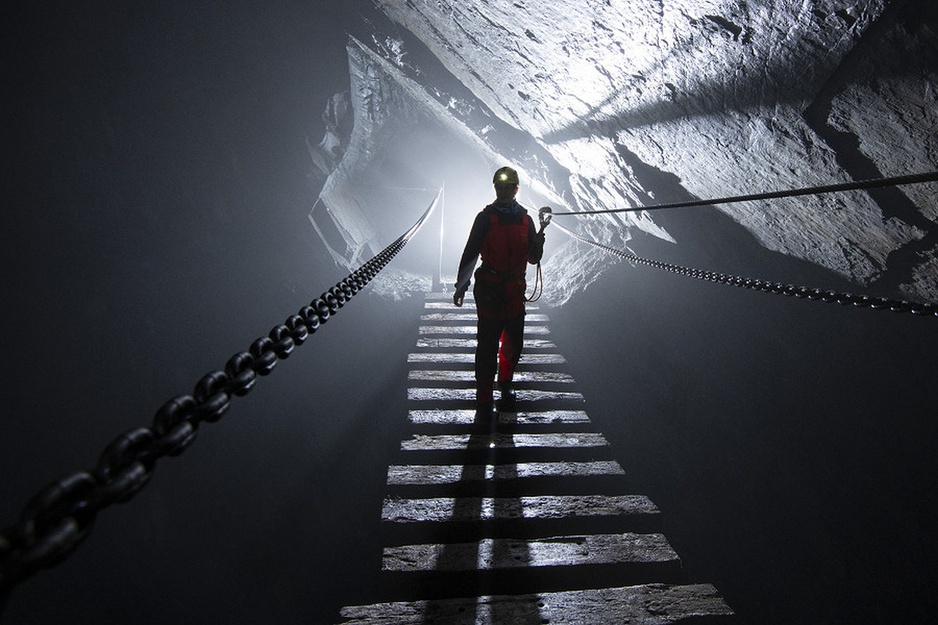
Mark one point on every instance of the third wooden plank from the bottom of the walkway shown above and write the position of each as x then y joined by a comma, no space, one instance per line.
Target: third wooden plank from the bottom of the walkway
474,509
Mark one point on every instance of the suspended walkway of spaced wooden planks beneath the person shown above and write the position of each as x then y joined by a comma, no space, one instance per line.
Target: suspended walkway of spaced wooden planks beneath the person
517,518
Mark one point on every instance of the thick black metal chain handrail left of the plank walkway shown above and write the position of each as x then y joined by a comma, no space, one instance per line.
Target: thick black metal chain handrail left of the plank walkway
57,519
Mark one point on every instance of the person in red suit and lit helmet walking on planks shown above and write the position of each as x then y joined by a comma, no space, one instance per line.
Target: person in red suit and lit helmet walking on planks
503,234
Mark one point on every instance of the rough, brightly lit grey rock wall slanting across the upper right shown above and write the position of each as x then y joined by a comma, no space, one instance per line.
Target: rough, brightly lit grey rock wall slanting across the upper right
730,98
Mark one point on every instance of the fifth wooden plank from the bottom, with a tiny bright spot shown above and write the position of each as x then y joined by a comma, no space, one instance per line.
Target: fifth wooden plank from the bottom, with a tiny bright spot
558,440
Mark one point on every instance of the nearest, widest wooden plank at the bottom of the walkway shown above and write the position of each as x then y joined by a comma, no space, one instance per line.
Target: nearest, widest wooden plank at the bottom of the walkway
648,604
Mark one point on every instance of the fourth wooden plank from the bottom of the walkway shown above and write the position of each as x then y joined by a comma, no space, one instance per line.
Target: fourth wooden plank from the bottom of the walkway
453,473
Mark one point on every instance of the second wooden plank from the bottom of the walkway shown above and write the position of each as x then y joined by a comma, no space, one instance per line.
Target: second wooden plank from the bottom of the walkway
511,553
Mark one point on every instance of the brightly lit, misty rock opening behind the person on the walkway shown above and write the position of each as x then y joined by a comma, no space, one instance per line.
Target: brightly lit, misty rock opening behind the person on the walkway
403,147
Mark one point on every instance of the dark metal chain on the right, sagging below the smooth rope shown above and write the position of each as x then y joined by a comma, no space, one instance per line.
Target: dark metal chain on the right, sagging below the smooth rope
789,290
